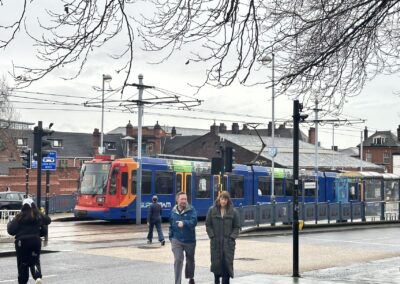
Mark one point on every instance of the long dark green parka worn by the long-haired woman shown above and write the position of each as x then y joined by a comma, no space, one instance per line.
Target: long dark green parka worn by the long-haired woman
222,233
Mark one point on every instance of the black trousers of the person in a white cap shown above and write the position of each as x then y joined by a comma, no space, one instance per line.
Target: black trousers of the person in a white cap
28,258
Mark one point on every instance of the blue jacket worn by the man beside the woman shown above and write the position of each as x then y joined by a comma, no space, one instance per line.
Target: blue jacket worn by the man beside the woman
188,216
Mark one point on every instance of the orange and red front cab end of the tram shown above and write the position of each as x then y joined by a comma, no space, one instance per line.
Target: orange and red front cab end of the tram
104,190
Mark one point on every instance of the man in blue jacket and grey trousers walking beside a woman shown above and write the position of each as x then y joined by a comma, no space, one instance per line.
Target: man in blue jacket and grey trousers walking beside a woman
182,234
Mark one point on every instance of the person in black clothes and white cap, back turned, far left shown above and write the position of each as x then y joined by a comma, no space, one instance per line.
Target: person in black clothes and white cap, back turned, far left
27,227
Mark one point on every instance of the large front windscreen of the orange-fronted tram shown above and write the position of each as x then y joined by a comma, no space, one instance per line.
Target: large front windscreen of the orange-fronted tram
93,179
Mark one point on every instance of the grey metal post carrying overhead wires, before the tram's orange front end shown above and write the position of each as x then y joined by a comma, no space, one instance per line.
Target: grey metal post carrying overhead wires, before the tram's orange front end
139,154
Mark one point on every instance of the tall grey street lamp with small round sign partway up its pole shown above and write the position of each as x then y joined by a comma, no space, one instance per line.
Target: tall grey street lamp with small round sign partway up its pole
266,60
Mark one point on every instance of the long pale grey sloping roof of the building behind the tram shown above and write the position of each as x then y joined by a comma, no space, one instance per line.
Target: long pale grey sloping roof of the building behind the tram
326,158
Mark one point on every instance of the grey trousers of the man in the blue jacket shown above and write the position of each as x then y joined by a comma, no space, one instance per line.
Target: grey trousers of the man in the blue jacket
178,248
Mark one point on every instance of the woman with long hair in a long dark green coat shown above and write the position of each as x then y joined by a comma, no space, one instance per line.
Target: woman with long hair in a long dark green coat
222,225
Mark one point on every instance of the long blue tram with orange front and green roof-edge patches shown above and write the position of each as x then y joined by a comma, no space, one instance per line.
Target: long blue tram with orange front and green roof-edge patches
107,187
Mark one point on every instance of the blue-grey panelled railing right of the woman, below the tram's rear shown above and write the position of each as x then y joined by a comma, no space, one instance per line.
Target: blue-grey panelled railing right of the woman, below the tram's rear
282,213
